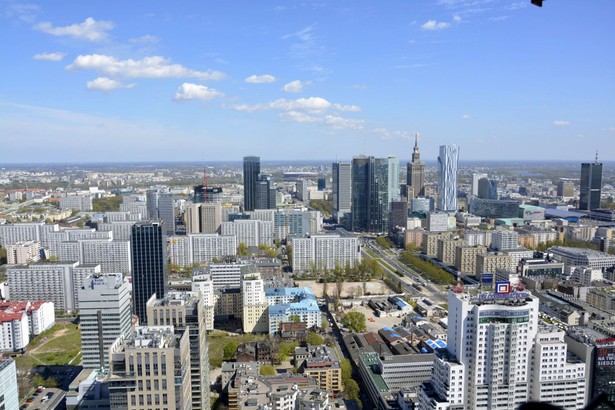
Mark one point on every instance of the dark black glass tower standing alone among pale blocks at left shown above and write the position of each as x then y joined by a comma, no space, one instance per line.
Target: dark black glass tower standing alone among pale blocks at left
149,265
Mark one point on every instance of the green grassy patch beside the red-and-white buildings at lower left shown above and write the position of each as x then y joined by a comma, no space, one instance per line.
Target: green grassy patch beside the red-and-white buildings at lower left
57,346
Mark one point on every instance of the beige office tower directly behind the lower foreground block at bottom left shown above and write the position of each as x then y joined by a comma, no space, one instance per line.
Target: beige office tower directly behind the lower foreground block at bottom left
184,310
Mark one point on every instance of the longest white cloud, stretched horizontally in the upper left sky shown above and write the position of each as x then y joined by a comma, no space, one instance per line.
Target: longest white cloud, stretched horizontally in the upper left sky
147,67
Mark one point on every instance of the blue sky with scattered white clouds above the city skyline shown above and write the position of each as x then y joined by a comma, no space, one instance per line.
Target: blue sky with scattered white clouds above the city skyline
93,81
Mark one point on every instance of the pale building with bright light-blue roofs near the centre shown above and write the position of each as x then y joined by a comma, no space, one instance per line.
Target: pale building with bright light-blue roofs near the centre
287,302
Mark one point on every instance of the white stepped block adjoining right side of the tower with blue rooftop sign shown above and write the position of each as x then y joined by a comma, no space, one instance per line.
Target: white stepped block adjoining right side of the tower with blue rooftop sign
556,376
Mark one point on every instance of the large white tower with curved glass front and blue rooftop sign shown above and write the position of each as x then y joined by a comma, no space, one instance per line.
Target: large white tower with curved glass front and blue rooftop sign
490,339
